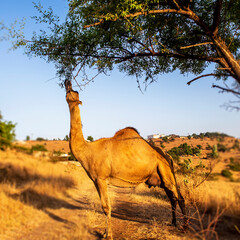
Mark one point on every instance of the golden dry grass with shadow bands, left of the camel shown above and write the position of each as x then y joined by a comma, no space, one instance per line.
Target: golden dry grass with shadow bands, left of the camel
29,187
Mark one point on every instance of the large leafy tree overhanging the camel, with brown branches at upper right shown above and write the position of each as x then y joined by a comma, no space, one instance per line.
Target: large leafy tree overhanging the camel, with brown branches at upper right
144,38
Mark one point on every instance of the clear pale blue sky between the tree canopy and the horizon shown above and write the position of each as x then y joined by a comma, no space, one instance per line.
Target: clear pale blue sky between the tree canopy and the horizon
30,97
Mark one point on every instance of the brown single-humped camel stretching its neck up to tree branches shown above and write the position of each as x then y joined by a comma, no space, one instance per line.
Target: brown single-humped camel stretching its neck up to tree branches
124,160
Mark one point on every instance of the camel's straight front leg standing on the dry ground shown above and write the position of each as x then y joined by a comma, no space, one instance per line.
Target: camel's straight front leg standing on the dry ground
102,189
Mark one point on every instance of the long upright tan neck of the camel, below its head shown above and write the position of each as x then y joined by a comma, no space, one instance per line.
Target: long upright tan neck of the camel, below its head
77,141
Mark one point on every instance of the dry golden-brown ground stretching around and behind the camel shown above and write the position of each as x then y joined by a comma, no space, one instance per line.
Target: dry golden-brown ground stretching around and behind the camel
47,198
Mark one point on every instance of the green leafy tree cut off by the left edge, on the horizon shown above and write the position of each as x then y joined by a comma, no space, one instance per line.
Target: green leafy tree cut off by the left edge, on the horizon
7,133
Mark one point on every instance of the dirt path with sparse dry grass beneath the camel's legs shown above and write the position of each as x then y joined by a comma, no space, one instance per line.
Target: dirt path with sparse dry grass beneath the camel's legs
82,218
